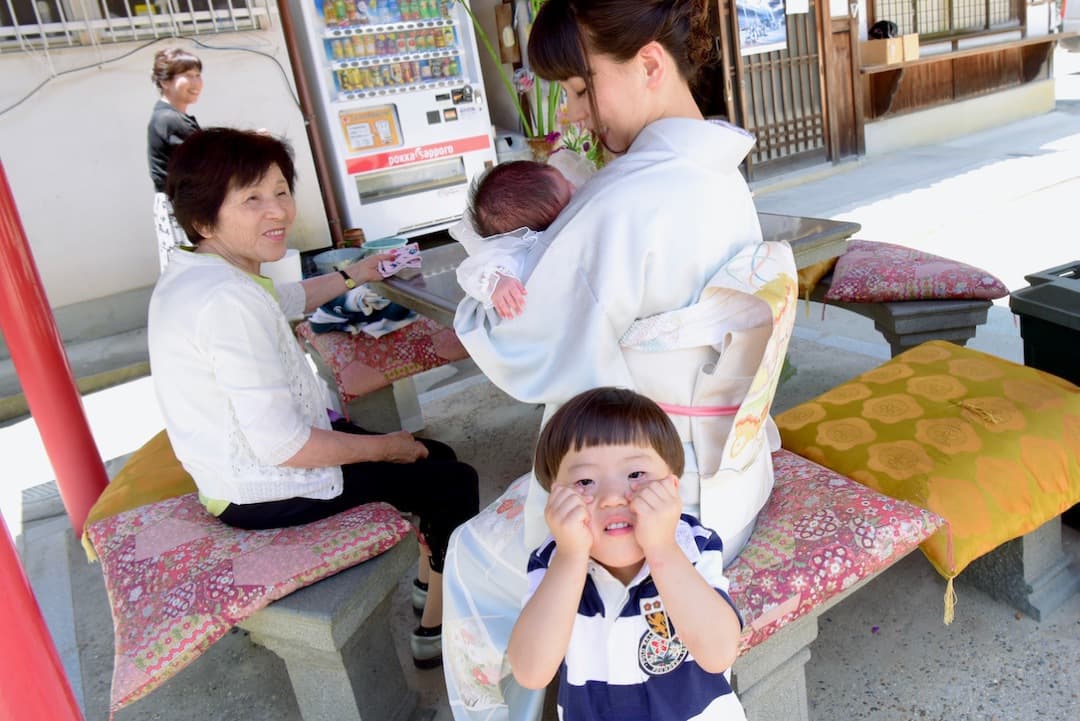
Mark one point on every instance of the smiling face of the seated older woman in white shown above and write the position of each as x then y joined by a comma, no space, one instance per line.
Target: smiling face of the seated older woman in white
253,222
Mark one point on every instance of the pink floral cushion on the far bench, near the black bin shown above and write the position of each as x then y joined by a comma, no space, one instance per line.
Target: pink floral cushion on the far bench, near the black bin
881,273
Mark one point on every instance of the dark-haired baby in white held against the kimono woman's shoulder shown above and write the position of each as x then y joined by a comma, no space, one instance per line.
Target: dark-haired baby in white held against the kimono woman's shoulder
521,196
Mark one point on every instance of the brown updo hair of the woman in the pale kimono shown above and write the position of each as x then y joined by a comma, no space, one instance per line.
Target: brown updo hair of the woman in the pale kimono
564,31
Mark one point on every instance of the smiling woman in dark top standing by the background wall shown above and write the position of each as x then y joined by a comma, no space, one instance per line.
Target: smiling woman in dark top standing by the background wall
178,75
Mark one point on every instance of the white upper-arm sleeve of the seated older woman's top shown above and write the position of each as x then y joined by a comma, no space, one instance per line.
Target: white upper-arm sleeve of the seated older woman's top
240,335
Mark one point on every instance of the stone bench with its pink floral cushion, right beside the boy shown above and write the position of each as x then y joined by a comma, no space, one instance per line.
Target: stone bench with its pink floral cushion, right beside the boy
820,539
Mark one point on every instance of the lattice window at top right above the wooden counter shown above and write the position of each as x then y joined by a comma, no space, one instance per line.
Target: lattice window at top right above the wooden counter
948,18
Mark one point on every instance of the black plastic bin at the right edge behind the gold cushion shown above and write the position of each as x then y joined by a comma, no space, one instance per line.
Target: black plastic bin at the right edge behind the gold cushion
1049,314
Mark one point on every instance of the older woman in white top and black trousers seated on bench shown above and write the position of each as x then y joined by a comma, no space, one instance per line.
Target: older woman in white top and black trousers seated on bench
242,407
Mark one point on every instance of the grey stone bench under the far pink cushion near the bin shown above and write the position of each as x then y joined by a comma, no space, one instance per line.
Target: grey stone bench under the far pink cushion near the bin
909,323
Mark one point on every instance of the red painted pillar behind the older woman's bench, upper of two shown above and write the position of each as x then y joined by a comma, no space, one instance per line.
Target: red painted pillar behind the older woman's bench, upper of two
37,353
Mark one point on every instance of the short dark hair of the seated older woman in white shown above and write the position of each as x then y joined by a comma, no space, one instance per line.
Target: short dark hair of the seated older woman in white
211,164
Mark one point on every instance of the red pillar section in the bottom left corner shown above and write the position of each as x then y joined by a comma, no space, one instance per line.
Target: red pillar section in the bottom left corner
33,684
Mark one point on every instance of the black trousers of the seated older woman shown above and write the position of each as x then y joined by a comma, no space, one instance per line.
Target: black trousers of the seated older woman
440,489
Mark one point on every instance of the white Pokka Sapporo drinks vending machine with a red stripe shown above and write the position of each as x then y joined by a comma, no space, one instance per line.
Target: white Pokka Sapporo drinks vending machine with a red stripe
401,108
